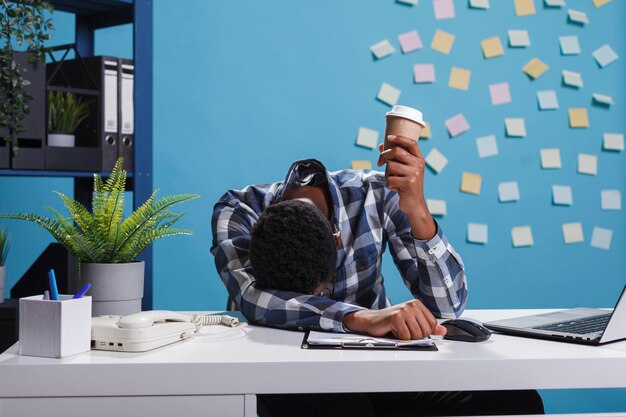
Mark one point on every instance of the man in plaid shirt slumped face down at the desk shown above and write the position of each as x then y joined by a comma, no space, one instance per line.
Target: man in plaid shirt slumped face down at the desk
305,253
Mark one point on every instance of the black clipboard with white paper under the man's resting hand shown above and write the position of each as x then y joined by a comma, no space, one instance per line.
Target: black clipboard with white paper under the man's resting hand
351,341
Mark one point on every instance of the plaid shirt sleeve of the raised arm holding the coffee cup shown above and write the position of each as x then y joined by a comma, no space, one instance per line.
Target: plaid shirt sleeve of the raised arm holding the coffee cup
432,270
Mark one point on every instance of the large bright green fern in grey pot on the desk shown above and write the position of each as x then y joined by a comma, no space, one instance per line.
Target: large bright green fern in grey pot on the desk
106,244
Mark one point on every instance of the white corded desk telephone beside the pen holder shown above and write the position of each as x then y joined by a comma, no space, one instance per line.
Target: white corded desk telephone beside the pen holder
148,330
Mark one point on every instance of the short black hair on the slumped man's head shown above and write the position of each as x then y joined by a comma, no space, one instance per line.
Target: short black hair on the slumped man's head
292,248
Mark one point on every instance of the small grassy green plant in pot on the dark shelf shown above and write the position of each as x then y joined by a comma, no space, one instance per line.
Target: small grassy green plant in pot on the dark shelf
66,111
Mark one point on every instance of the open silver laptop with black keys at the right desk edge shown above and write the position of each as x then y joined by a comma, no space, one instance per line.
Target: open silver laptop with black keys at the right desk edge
587,326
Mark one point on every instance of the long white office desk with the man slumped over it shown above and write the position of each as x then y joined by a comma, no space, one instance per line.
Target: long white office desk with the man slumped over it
203,377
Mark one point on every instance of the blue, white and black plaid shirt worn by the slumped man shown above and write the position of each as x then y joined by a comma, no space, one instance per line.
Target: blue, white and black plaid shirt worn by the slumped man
366,214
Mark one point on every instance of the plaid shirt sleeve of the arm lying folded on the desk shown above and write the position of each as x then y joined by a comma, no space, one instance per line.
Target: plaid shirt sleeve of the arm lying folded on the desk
231,225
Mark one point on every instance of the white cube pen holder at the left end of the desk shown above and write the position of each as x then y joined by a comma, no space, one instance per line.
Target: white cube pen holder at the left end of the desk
55,329
